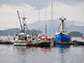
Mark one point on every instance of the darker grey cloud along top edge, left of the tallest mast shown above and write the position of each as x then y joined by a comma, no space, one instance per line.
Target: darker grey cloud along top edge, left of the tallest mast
39,4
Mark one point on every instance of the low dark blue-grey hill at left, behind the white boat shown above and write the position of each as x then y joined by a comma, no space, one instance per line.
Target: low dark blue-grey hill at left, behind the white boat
12,31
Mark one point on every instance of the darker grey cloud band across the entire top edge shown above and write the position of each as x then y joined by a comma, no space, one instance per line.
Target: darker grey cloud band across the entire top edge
39,4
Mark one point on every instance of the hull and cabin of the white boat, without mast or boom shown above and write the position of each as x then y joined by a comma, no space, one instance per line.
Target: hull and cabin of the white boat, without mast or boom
22,39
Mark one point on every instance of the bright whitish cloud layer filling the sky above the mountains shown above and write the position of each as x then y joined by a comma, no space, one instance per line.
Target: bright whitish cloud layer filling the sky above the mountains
9,19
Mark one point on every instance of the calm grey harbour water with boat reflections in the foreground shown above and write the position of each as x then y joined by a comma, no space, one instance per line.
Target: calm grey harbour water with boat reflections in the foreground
58,54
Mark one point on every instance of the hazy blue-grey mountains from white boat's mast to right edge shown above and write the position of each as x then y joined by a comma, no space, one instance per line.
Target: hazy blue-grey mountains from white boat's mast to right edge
69,24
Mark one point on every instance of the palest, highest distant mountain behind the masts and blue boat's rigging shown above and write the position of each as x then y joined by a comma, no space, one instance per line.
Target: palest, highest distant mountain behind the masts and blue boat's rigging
42,23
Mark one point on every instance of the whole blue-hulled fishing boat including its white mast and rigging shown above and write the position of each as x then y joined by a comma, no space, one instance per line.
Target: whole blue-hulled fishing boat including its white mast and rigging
61,33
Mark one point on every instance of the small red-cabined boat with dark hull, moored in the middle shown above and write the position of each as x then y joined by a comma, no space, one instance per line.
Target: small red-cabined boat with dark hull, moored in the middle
45,41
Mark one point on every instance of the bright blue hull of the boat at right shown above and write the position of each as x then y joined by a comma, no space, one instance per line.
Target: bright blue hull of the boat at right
63,38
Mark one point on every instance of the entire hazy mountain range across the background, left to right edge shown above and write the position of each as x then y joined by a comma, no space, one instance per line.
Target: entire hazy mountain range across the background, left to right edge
41,24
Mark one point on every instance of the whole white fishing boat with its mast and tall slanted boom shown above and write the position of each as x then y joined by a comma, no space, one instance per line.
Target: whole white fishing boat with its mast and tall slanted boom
22,38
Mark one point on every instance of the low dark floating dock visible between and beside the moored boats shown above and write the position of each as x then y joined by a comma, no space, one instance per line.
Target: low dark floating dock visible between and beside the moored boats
58,43
